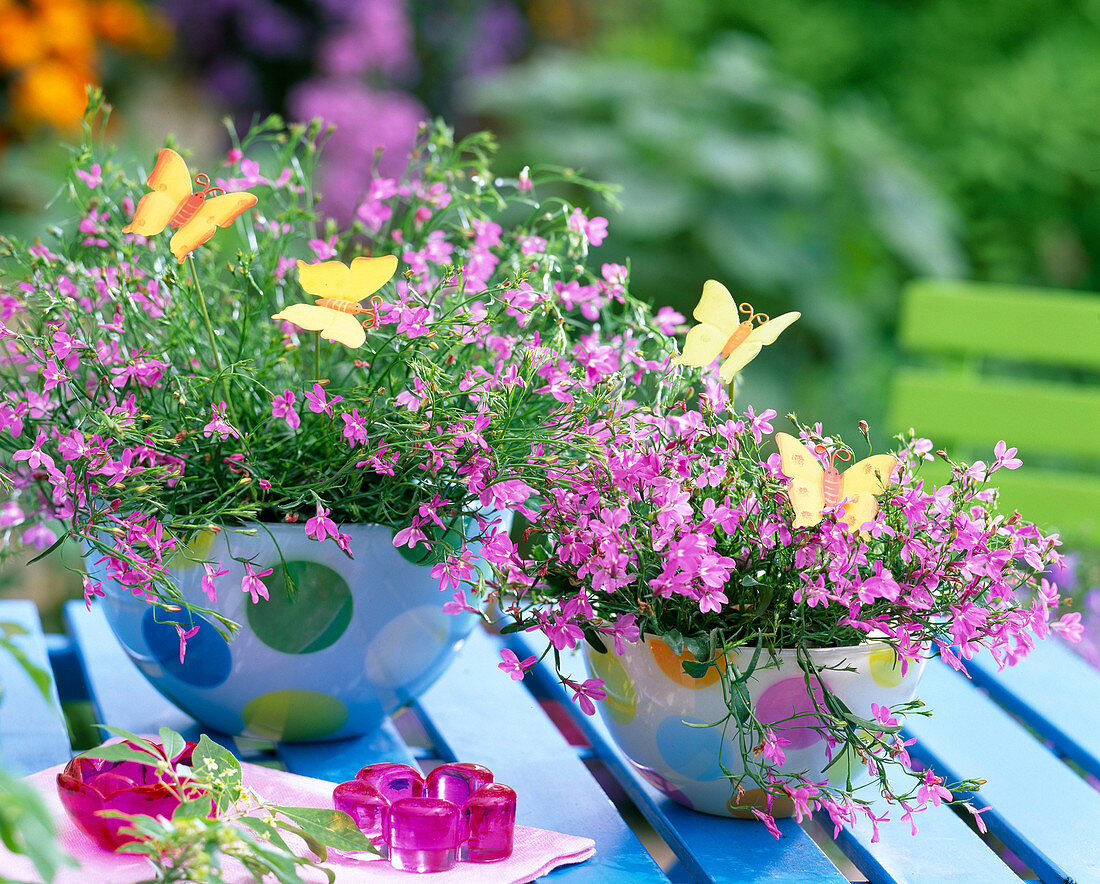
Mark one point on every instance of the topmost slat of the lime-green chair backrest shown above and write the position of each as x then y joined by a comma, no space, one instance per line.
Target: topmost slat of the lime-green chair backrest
1049,327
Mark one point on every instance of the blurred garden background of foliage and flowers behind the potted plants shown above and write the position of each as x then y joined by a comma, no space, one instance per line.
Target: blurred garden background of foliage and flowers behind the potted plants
811,154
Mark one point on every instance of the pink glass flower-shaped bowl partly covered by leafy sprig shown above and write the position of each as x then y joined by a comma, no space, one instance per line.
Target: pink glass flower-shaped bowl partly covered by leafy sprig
87,787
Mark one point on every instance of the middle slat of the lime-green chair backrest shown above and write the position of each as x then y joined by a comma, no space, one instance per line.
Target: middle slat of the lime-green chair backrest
1036,416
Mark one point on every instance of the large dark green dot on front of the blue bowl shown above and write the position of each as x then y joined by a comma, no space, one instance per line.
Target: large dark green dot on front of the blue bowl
311,617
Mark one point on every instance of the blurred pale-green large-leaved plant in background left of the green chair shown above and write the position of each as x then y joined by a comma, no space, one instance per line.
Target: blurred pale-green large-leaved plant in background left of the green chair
734,171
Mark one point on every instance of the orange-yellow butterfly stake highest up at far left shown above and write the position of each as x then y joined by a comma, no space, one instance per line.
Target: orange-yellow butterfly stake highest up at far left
195,217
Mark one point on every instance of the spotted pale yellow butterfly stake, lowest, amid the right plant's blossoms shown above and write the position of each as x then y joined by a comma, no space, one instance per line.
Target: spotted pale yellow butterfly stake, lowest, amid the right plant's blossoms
815,488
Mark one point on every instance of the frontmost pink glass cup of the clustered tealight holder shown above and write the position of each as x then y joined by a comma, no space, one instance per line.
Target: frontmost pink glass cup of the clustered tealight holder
423,835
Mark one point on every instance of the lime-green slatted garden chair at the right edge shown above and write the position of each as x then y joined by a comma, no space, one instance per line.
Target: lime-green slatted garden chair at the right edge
987,362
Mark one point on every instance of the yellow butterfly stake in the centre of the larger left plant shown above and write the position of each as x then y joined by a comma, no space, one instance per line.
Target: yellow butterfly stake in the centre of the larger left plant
339,291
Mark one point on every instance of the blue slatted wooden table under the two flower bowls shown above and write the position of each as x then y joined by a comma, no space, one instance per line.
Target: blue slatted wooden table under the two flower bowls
1018,730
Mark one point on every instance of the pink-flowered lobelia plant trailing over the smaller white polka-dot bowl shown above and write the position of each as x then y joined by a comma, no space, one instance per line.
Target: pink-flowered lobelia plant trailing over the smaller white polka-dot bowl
684,531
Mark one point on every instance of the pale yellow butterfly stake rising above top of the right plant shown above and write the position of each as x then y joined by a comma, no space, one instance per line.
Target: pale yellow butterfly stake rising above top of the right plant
721,333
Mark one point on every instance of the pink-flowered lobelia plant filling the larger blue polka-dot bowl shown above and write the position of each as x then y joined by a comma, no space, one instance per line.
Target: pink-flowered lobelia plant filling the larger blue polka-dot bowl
153,391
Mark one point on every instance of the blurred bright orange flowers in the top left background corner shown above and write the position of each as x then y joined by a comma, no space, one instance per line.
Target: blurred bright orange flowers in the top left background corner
51,51
